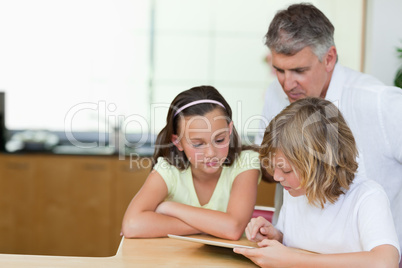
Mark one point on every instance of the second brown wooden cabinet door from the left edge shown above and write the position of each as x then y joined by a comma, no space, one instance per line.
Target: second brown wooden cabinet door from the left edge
54,216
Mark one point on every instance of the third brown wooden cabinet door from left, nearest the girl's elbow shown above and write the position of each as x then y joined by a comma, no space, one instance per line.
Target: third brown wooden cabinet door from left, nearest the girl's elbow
91,202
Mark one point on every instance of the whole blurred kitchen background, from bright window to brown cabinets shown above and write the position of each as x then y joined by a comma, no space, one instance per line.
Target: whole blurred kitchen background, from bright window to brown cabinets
100,74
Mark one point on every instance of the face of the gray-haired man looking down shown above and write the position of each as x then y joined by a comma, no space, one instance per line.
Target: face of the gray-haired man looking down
303,75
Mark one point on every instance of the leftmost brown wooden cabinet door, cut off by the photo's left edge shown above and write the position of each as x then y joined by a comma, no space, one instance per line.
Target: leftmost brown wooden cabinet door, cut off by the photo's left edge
17,175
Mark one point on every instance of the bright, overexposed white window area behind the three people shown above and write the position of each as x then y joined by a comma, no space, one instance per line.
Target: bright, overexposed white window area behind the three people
94,66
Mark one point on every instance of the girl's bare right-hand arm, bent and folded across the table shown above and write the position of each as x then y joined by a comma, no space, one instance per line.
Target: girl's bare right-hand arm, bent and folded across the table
229,225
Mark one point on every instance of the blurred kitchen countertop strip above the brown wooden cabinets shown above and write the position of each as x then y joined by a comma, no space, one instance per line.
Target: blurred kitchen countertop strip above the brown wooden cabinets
79,143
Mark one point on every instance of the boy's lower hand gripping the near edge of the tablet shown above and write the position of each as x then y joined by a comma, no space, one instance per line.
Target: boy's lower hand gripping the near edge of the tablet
271,254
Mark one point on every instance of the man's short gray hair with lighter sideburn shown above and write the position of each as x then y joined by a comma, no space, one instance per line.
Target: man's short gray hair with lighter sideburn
297,27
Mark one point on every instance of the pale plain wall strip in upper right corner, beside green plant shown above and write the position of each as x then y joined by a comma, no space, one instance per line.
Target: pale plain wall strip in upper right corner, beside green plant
384,34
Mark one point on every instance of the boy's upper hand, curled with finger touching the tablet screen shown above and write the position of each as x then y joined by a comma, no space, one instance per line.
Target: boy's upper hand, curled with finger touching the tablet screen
259,229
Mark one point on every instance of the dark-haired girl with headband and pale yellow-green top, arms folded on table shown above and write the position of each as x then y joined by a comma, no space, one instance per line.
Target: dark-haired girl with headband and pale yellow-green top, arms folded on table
202,181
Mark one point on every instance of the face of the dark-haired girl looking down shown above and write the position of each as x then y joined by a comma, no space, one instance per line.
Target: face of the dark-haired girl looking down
205,140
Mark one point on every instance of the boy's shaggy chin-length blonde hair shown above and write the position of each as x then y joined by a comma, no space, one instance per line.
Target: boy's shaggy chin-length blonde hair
314,137
